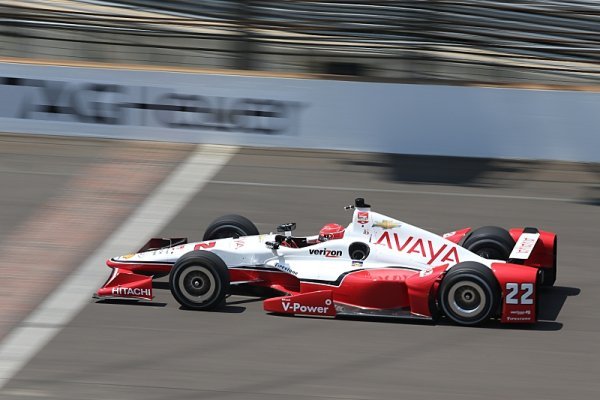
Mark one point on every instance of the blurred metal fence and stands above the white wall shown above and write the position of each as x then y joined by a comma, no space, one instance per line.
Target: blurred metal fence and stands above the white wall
482,41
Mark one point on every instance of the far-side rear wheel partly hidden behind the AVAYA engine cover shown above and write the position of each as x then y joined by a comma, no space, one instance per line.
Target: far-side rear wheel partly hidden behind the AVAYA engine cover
490,242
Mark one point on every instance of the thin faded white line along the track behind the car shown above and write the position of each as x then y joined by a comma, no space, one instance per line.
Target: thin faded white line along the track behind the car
399,191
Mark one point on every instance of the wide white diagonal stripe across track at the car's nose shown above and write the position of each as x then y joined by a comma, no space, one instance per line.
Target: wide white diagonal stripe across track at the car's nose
61,306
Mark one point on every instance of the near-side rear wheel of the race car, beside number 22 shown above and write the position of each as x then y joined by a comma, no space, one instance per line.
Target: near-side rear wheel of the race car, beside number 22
469,293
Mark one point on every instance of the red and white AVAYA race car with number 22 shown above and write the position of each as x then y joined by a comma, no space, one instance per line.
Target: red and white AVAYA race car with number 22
376,266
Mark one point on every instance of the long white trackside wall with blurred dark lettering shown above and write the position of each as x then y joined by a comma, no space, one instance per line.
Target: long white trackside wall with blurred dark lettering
304,113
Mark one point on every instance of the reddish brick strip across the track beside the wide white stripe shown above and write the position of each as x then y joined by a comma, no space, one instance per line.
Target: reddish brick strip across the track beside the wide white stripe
114,182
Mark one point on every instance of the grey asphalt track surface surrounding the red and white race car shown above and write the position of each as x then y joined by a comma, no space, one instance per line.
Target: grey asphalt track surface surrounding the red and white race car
124,350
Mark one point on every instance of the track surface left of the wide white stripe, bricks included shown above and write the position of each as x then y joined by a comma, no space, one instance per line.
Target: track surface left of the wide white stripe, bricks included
60,198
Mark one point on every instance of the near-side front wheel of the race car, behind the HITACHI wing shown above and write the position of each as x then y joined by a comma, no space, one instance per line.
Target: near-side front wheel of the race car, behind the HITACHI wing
199,280
